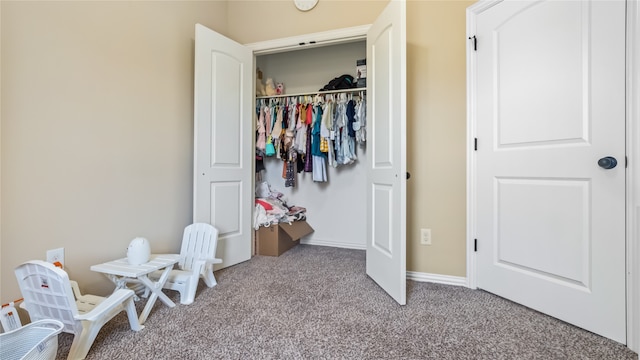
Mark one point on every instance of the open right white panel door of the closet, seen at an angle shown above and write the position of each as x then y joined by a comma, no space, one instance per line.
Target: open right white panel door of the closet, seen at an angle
386,170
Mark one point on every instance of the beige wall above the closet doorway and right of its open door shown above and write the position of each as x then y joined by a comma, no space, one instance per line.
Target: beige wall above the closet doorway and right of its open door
436,112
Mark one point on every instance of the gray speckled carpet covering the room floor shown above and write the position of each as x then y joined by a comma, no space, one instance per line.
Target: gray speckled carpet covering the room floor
316,302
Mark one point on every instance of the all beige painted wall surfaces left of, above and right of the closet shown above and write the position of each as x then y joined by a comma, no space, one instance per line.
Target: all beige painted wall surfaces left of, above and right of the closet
97,122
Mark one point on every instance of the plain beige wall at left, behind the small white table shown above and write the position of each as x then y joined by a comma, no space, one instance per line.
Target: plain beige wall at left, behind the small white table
96,129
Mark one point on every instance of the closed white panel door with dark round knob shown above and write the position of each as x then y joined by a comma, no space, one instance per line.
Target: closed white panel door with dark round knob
550,90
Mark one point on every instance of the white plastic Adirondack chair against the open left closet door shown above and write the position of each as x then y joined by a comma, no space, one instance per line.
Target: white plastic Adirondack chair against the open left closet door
197,256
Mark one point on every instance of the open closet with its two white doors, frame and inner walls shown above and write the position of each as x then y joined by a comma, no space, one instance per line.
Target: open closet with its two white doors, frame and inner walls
362,206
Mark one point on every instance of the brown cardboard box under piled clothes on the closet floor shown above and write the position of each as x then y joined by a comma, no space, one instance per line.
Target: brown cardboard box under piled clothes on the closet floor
278,238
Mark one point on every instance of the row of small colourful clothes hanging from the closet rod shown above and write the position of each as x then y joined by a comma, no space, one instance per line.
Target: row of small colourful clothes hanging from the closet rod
310,133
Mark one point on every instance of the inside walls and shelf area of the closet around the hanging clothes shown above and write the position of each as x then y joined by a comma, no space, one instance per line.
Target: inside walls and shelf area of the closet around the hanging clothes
335,208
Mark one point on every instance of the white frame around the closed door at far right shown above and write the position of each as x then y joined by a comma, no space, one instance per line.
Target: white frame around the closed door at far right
633,163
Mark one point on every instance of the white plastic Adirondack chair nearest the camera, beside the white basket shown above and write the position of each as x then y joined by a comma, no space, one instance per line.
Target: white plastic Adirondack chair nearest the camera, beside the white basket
49,294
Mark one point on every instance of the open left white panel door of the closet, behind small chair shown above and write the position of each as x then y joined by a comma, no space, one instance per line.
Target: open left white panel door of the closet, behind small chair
223,135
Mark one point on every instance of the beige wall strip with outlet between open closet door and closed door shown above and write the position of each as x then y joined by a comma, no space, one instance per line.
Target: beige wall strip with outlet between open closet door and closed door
436,116
